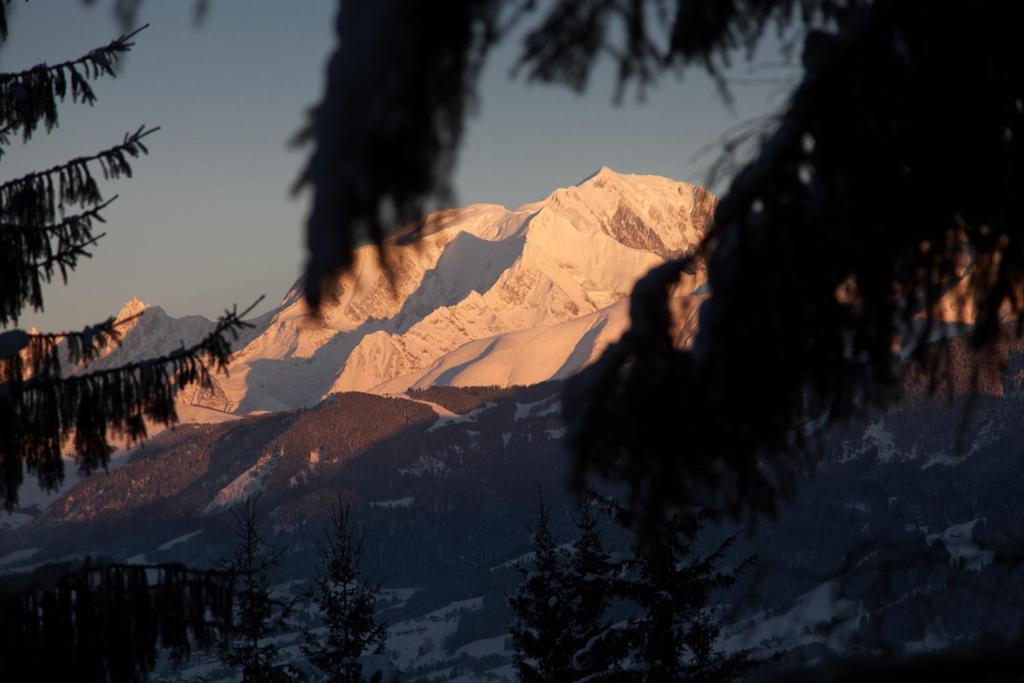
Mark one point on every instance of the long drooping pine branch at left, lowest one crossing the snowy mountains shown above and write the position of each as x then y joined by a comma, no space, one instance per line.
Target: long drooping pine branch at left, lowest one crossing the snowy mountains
39,414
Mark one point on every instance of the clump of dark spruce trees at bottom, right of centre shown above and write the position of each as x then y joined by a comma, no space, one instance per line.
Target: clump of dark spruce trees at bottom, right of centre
564,630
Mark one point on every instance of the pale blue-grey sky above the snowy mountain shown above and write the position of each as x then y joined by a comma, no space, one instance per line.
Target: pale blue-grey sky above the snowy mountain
208,222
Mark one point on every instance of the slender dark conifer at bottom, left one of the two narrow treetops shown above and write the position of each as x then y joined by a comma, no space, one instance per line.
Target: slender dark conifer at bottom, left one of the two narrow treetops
250,648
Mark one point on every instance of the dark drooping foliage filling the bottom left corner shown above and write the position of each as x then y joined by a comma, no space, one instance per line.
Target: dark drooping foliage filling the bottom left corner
109,622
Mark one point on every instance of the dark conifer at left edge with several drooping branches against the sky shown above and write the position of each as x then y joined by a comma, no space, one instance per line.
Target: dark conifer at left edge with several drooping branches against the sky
48,219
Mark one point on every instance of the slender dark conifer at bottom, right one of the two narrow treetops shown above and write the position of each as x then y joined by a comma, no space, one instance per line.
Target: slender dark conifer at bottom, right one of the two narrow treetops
348,603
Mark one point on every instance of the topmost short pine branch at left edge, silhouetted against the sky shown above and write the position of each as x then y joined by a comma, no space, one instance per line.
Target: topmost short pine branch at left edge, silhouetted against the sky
30,98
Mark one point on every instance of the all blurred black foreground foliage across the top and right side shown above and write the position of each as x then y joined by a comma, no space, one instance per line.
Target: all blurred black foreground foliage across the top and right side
888,180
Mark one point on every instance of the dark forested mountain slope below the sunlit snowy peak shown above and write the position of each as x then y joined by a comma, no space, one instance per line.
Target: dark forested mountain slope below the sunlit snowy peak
892,535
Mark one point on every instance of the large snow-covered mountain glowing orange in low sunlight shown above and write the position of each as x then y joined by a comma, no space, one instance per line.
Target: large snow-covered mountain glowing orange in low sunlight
490,296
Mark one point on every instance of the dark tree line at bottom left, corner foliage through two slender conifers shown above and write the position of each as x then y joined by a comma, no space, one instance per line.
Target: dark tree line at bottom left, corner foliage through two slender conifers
110,622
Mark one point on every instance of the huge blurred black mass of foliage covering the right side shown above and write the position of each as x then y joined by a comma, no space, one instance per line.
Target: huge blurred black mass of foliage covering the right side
888,180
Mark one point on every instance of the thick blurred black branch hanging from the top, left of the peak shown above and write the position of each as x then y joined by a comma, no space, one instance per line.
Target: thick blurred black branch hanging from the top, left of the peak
360,174
